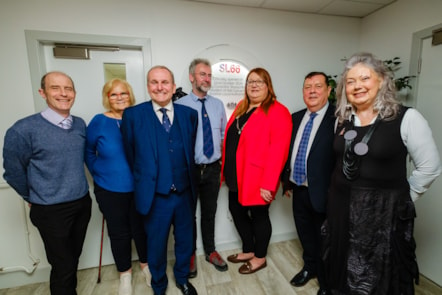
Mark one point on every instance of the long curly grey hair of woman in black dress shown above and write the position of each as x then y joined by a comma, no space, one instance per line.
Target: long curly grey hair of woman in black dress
385,103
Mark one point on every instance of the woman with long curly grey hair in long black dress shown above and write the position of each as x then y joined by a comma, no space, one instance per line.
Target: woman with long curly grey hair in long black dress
369,245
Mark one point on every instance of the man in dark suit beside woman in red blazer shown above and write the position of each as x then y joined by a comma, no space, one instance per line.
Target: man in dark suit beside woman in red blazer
307,173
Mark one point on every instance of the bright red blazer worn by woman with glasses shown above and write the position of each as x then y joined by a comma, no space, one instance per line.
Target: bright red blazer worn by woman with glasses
262,152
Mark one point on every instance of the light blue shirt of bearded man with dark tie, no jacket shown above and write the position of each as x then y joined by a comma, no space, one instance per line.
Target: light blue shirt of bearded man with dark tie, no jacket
218,120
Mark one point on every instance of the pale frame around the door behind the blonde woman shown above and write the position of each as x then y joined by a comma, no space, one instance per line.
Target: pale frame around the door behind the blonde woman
35,40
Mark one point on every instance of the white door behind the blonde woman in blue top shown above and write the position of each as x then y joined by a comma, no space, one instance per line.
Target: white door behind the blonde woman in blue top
89,78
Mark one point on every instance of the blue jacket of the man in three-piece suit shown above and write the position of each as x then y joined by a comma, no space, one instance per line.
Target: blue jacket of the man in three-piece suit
139,133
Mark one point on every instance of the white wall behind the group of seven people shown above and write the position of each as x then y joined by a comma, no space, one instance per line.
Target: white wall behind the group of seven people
288,44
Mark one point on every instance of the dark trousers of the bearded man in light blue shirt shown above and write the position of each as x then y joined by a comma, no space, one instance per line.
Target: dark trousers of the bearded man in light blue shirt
208,180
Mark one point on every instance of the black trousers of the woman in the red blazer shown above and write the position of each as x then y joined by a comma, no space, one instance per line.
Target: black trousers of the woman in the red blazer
253,225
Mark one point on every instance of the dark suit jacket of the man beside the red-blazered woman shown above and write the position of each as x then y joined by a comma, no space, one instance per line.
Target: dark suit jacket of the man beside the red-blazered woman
320,161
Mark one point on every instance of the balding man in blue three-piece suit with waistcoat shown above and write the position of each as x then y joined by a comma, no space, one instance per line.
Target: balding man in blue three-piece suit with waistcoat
159,139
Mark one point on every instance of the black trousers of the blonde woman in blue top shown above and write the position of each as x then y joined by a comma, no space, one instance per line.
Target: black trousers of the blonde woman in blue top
124,223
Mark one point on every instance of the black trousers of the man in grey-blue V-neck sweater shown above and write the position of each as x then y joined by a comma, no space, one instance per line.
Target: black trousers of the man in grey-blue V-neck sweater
63,229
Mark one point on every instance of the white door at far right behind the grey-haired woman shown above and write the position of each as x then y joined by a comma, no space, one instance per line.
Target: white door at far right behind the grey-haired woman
428,232
